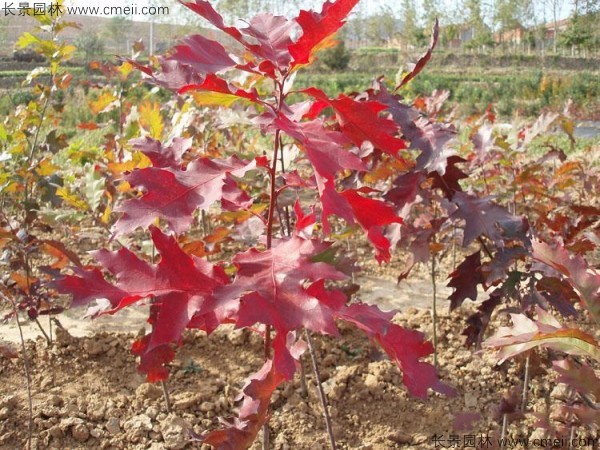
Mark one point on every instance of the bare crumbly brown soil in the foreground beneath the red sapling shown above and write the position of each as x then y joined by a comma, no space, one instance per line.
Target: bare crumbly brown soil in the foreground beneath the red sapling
87,394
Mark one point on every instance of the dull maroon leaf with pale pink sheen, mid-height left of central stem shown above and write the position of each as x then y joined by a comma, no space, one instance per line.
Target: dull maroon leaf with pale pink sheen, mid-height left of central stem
174,194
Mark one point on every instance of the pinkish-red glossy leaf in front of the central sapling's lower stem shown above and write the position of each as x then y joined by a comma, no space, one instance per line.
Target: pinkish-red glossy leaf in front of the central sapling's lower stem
270,286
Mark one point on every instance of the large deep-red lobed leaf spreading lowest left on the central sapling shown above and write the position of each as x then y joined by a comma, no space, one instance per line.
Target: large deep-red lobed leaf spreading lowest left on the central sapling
180,285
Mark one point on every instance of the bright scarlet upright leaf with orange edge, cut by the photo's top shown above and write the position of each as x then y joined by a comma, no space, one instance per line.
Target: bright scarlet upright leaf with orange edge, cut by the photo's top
317,27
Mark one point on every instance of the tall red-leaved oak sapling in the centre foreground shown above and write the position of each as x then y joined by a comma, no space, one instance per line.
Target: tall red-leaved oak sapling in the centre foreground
282,285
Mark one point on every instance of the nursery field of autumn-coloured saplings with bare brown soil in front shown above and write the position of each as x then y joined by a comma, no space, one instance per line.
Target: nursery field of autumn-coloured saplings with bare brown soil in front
209,249
